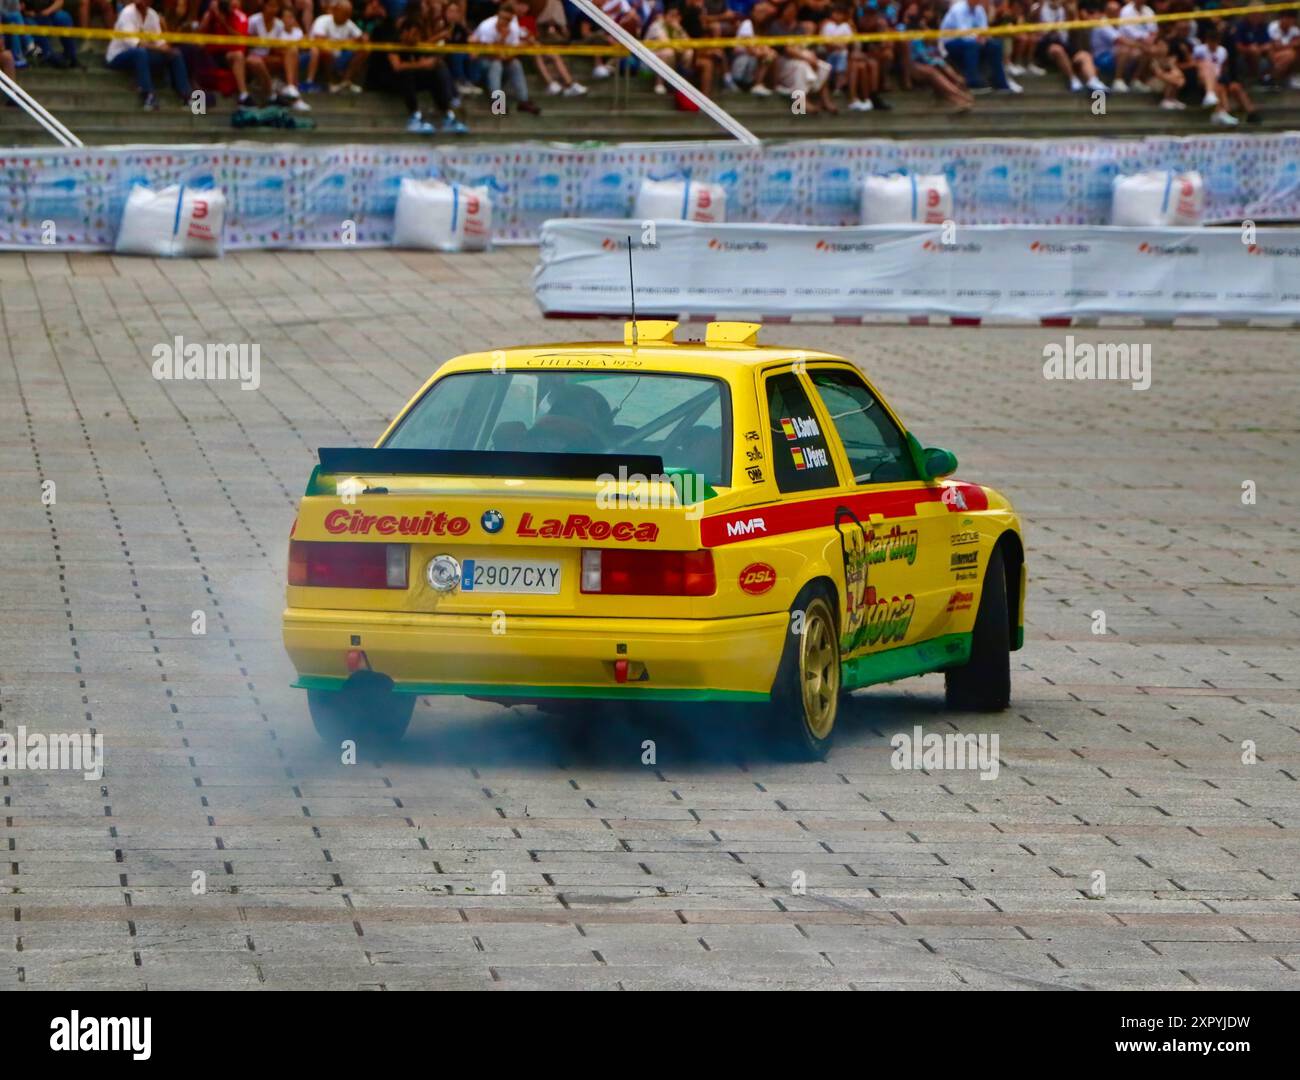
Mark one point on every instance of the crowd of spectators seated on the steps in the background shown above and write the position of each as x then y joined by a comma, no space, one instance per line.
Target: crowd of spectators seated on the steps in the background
1216,64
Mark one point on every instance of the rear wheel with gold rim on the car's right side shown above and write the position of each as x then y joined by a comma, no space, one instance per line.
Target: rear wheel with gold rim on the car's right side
807,689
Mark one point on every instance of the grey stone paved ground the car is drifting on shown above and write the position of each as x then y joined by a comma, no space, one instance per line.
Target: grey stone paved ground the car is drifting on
1123,753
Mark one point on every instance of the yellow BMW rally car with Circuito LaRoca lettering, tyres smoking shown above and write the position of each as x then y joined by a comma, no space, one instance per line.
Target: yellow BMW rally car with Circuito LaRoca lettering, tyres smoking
648,522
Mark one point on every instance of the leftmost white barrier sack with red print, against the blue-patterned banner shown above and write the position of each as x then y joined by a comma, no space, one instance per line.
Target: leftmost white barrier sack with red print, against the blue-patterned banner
176,222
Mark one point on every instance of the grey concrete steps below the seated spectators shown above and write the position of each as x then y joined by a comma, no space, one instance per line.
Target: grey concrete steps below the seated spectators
102,107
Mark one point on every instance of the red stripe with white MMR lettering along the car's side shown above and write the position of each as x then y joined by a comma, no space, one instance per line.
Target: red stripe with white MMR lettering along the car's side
779,519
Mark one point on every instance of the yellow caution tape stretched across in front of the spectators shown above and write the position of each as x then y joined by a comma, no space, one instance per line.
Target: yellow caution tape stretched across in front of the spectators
177,37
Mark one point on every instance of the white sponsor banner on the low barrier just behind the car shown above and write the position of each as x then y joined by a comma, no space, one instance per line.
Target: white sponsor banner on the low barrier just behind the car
1015,272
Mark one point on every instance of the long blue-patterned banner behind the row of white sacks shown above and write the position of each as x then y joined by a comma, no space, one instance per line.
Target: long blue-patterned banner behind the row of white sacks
302,197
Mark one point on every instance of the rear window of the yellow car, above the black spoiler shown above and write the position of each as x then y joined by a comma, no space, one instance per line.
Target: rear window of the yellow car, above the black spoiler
683,419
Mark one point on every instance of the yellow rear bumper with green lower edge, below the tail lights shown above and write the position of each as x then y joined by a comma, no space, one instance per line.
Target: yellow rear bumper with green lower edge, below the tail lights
669,660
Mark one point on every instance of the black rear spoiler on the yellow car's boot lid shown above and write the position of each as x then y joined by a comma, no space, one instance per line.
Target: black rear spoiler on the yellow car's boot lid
348,461
